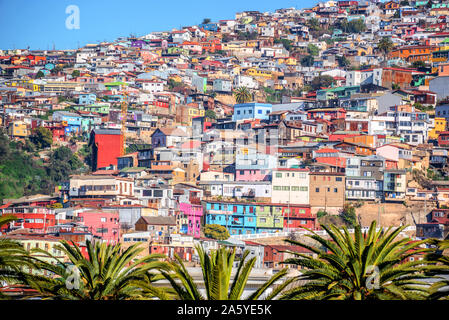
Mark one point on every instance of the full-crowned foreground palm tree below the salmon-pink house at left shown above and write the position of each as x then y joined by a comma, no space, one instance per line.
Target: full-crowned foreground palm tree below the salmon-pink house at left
108,273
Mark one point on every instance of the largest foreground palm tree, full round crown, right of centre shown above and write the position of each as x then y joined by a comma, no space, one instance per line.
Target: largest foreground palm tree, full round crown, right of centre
346,266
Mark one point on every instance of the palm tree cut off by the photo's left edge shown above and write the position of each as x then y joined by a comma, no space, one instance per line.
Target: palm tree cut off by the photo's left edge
13,258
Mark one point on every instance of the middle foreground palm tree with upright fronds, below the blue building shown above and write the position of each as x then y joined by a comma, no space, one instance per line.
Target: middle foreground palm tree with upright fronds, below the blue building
216,270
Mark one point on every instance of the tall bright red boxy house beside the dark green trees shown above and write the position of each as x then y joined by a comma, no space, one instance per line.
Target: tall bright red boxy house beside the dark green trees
106,147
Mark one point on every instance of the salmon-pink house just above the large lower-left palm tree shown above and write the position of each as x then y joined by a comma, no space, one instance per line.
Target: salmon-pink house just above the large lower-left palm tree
103,224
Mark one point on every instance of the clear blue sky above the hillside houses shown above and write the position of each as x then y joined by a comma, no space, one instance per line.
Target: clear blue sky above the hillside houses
41,24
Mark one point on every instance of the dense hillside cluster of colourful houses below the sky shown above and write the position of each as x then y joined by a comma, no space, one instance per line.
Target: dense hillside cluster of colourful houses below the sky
263,167
